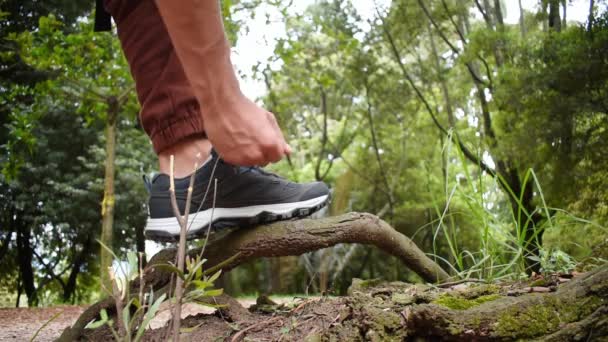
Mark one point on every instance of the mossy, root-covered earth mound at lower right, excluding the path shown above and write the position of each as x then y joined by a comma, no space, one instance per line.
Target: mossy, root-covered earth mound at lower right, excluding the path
576,311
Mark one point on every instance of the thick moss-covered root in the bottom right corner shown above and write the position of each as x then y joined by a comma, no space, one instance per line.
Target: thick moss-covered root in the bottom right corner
577,311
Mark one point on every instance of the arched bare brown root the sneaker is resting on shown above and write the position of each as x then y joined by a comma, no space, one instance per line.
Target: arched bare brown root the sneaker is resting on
284,238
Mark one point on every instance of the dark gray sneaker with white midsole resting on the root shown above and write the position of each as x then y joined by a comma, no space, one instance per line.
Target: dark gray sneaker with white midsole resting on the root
245,196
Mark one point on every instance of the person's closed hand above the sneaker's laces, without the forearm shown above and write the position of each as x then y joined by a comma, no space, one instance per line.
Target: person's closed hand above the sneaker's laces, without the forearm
243,133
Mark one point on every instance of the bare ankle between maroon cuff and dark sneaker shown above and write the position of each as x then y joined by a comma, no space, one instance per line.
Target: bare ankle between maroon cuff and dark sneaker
187,153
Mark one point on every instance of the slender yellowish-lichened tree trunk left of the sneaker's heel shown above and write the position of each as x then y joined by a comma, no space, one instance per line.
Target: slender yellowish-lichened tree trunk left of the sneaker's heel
107,206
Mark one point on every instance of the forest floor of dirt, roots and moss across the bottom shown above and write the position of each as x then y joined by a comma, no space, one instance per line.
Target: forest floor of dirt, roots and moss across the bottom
374,311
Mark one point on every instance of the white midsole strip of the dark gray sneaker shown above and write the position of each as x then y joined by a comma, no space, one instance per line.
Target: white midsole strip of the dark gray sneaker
201,219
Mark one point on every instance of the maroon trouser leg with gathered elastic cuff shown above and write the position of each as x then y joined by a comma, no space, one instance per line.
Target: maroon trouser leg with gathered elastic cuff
169,109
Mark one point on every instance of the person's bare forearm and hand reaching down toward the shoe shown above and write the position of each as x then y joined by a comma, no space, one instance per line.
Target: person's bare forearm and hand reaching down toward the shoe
241,132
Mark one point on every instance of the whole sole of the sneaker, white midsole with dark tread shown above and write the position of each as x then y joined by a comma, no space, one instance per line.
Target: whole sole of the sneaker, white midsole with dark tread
167,229
